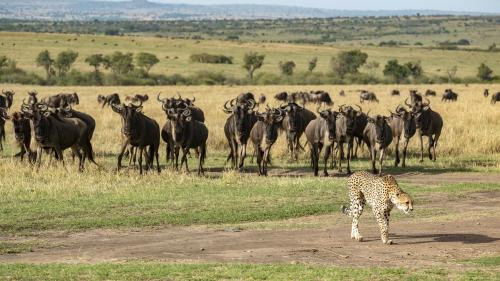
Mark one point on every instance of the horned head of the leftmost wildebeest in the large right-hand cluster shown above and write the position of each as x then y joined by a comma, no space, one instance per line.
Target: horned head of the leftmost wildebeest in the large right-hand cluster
242,115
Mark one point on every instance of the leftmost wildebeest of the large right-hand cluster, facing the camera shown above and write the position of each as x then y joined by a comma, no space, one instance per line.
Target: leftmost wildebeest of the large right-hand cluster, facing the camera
237,129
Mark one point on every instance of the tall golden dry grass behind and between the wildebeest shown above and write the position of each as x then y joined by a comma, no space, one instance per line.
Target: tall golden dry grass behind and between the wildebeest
471,125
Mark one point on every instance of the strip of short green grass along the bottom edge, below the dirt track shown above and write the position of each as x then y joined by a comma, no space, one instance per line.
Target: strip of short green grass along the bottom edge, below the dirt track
154,271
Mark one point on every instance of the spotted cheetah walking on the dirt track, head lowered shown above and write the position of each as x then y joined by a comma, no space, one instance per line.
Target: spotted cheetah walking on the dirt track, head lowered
381,193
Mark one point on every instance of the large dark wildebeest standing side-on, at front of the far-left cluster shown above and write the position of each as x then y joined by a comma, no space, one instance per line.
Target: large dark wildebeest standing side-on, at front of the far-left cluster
58,134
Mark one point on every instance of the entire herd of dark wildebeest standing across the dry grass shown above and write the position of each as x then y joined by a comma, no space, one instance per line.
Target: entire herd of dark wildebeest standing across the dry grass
55,126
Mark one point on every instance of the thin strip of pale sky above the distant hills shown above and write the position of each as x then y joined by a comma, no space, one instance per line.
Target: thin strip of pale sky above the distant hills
490,6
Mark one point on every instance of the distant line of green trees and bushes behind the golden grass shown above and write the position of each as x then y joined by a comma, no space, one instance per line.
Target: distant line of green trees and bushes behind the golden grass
136,69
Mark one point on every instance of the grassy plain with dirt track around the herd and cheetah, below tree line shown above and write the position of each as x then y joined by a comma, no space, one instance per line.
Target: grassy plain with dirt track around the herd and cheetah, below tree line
100,224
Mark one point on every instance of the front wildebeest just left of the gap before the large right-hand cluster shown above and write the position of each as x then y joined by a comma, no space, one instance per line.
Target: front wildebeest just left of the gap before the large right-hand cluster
188,133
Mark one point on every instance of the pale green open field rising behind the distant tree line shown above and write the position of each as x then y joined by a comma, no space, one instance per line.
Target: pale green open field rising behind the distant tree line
24,47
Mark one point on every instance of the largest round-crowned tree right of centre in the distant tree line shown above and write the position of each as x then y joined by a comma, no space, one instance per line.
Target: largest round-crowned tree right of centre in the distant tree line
348,62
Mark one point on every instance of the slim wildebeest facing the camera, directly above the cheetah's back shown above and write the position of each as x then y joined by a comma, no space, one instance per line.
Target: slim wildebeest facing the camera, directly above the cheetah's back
378,136
